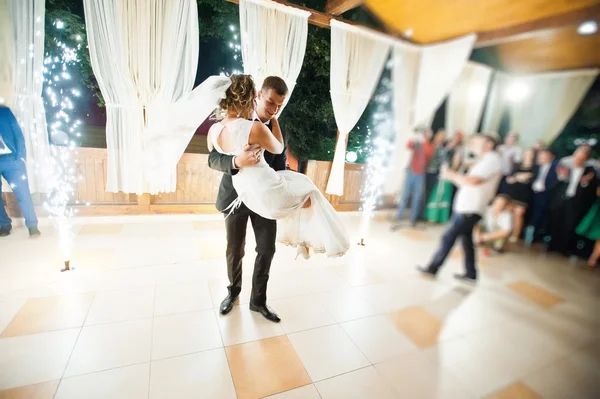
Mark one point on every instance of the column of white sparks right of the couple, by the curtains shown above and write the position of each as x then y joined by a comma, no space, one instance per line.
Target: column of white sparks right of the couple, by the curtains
379,147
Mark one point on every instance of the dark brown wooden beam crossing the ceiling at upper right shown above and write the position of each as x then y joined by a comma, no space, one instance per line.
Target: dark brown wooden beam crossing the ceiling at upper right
532,28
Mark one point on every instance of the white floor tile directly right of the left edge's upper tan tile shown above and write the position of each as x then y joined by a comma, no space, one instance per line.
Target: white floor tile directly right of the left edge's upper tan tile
122,305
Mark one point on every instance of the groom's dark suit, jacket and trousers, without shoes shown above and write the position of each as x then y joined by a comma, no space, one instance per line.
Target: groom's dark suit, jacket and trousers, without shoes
265,230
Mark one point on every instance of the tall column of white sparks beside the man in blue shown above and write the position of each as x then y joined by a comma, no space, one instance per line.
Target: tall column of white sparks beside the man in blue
61,171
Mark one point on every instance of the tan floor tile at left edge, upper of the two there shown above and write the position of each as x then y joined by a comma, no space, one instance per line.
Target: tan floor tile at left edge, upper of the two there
49,314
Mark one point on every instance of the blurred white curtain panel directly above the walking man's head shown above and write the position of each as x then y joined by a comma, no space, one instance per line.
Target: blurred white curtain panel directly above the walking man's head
467,98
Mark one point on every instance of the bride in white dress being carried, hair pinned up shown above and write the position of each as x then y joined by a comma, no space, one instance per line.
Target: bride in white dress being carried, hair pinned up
306,219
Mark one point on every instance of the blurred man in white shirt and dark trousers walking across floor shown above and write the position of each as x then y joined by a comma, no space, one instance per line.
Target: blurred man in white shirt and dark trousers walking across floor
475,191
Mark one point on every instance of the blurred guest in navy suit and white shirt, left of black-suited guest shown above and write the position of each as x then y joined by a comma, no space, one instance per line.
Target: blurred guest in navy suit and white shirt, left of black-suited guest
544,180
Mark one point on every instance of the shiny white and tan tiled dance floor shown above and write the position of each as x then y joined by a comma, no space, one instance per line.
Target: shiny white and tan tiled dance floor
138,318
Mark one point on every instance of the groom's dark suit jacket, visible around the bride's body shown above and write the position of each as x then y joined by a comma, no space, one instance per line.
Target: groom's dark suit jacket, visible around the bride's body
224,163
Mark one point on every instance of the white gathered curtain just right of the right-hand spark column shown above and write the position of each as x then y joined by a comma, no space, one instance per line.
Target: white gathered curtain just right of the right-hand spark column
423,76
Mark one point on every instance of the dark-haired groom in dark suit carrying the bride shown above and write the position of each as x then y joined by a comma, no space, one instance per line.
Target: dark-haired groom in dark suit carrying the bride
269,100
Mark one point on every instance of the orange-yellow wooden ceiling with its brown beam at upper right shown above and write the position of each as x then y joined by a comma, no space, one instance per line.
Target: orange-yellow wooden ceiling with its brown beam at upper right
514,35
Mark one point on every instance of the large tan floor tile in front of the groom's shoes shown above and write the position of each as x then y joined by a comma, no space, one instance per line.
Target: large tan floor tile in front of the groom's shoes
265,367
